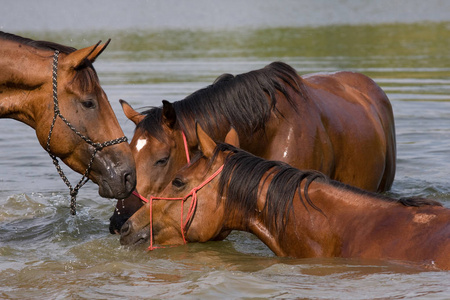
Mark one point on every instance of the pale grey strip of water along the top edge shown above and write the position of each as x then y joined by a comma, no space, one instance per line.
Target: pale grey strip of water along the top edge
217,15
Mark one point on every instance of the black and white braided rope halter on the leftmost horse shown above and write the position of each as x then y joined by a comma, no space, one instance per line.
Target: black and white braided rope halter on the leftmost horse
96,146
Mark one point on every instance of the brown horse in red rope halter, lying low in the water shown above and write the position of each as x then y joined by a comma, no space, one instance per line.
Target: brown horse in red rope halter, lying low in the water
301,214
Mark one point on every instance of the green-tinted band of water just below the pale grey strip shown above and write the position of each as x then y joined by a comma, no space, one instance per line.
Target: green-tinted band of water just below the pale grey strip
392,41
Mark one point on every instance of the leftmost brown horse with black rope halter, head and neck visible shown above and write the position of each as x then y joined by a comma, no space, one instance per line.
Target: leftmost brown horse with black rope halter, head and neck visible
55,90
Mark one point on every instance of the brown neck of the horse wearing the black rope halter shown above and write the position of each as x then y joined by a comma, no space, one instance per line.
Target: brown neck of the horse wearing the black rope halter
23,74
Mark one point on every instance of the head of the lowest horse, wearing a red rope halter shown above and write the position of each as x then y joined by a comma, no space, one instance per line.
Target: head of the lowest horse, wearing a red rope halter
185,210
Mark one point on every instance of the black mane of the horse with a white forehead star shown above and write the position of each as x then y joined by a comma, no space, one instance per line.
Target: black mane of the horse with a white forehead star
244,101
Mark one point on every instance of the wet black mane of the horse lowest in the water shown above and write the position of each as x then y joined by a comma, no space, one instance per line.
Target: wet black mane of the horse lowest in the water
241,178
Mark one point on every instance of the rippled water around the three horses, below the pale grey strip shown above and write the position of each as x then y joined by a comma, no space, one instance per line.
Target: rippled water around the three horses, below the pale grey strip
45,252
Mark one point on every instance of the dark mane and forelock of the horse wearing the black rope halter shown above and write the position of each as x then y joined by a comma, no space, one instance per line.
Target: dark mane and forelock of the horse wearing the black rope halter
86,74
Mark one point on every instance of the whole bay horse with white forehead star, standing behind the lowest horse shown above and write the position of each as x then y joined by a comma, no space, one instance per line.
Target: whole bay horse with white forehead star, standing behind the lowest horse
338,123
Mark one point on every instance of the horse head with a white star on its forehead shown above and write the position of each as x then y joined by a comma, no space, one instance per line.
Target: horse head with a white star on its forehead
156,150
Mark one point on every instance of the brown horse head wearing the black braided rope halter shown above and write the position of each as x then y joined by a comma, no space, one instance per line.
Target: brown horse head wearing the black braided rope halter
85,142
